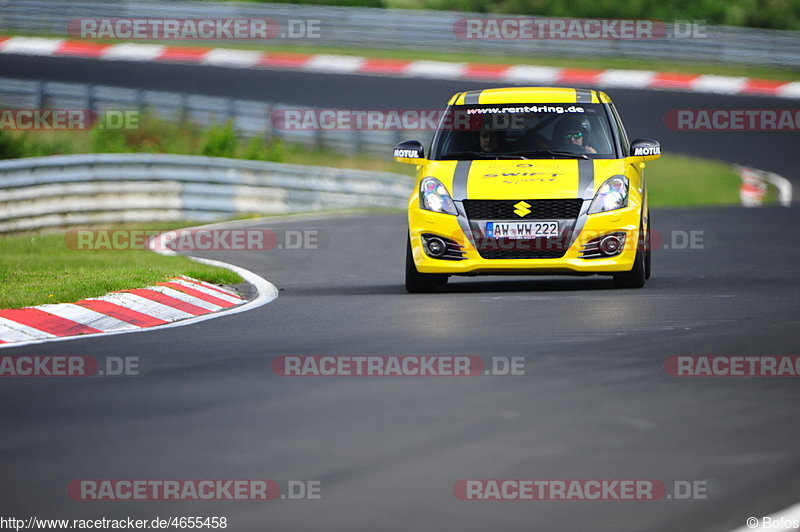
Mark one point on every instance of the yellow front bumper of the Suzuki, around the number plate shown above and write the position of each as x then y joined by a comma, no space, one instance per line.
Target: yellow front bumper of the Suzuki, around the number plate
588,227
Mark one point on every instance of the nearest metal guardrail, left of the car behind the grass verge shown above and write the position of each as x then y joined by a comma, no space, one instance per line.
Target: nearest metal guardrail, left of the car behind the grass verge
69,190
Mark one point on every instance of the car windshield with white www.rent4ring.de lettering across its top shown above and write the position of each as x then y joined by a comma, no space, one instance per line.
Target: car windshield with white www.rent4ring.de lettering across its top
524,131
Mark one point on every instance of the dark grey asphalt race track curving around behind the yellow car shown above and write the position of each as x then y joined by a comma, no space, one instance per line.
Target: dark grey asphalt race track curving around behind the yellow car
595,401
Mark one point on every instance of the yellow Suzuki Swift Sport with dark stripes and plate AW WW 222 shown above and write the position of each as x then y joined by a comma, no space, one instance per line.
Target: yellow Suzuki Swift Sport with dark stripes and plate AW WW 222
528,180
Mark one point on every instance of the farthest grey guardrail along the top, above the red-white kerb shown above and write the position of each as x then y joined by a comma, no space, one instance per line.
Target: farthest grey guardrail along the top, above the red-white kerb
412,29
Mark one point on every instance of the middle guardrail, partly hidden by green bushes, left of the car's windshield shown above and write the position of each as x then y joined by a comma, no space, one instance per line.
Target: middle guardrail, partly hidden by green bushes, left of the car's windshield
250,118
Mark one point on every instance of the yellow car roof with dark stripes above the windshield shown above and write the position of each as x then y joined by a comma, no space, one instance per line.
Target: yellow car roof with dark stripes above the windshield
523,95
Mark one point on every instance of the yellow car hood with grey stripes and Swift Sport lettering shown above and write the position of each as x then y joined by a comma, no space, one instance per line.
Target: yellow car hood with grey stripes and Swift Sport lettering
524,179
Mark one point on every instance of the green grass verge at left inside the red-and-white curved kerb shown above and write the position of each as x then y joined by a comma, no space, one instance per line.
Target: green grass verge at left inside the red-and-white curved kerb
40,268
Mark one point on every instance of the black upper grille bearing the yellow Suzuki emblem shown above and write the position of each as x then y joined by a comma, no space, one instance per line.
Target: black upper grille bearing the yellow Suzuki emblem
545,209
